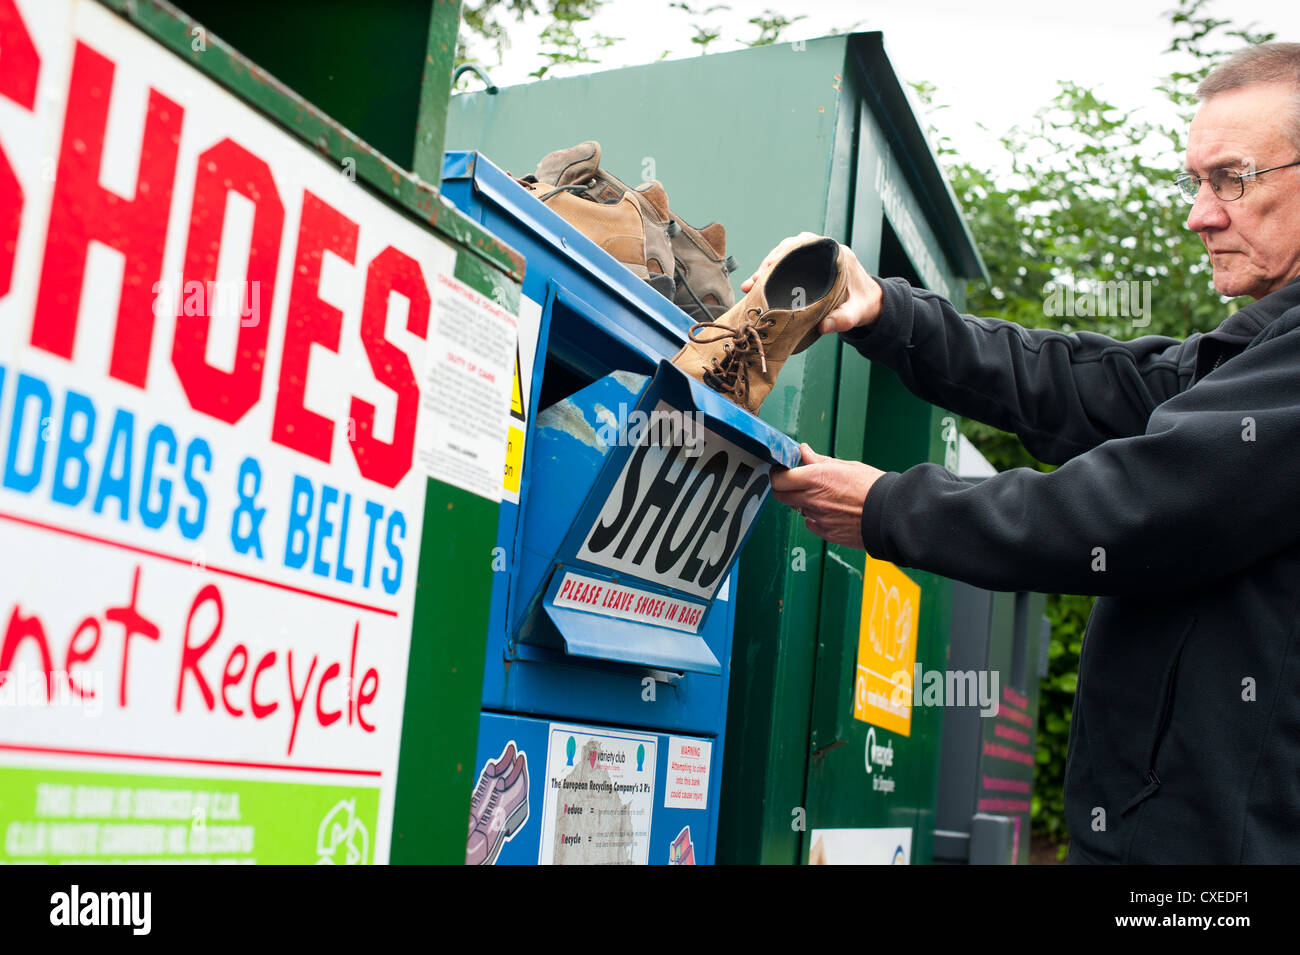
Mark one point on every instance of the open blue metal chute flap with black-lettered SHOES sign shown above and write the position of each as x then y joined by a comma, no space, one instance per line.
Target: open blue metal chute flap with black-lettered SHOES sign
580,459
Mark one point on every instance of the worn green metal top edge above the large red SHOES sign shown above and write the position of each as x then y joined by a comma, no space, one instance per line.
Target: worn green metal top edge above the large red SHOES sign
255,86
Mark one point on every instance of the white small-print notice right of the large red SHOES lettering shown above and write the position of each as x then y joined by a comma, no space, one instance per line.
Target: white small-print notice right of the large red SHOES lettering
466,389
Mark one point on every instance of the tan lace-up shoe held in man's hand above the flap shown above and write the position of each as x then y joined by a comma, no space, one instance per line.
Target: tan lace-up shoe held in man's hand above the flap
742,354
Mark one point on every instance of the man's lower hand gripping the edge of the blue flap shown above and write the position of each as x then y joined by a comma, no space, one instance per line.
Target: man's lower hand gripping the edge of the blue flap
829,493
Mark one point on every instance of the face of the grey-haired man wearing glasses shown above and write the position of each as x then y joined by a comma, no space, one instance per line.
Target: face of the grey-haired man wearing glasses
1255,241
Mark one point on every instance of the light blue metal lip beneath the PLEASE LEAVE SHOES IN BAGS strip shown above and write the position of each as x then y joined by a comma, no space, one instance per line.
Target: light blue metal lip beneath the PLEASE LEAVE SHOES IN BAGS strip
626,641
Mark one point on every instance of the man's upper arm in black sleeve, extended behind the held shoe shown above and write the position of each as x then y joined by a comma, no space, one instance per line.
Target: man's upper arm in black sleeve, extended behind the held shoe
1060,394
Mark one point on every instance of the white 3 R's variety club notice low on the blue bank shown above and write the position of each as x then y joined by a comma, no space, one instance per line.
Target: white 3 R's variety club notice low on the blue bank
600,798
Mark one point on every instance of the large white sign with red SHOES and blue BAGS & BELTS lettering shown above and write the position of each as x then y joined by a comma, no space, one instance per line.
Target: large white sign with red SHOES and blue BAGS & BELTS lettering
211,341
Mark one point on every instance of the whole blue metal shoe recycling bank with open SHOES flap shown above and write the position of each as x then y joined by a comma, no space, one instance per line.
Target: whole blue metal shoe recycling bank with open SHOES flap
631,490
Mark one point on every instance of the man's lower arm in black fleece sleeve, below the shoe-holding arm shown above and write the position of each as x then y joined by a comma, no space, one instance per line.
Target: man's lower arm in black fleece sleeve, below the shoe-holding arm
1211,489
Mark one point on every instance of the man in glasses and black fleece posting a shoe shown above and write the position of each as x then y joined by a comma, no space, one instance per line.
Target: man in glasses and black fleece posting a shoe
1177,502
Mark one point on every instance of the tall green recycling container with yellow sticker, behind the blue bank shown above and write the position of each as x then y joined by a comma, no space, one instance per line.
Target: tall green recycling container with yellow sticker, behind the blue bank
816,136
